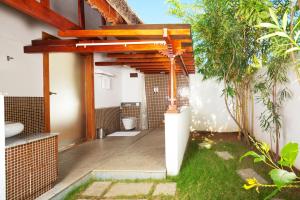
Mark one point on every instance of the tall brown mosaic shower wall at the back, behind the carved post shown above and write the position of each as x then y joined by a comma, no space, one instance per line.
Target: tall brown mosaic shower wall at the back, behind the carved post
157,103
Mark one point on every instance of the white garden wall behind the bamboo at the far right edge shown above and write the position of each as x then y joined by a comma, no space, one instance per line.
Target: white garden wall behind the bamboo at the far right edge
291,119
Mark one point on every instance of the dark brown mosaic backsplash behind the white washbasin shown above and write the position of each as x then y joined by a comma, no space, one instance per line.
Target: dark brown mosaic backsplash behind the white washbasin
27,110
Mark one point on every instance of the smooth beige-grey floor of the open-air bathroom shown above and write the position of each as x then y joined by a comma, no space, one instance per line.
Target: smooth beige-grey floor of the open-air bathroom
144,152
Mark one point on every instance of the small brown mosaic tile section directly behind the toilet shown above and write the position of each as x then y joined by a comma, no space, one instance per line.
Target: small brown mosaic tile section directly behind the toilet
130,110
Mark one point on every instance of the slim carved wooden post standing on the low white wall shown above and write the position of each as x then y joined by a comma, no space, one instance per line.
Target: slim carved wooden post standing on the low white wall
172,107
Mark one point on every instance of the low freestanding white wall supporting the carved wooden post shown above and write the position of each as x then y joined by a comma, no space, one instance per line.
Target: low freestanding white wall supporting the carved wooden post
177,132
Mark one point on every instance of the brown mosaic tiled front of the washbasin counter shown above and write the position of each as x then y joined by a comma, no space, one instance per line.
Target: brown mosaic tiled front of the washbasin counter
31,169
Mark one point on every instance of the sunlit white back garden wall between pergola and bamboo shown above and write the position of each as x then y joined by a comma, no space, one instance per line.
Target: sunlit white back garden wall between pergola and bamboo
207,106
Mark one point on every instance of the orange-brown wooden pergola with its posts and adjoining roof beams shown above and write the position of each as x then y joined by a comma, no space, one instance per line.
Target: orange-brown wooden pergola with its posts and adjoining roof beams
156,48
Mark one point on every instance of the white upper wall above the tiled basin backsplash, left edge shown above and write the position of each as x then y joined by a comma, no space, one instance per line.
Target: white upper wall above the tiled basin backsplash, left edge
22,76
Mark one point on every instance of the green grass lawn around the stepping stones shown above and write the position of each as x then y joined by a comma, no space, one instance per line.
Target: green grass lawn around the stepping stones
206,176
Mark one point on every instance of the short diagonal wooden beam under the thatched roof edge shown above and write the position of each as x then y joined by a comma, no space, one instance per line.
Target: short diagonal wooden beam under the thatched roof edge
108,12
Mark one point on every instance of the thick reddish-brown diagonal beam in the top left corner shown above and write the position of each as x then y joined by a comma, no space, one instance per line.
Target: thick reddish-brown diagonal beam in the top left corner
42,13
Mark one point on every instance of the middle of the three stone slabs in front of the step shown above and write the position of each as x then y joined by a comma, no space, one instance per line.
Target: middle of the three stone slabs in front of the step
129,189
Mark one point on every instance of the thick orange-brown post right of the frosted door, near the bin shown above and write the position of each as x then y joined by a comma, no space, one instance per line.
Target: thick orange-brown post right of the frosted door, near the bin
89,97
